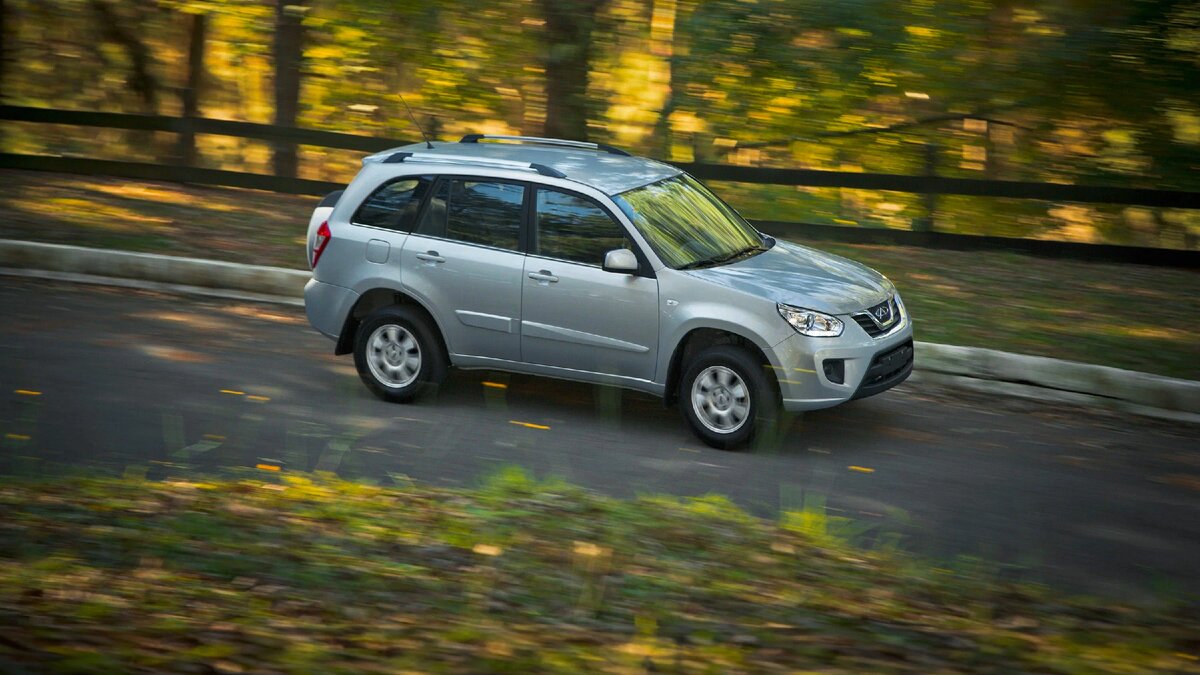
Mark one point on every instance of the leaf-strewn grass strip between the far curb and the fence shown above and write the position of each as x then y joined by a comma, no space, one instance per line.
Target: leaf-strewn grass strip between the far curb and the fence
1131,316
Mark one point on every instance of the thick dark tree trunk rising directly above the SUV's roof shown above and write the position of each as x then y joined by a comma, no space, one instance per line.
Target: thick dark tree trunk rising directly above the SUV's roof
568,63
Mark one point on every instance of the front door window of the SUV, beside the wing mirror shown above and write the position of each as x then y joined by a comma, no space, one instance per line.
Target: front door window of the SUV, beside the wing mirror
575,229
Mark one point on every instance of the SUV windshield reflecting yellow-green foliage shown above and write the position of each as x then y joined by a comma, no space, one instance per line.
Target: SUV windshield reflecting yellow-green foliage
687,225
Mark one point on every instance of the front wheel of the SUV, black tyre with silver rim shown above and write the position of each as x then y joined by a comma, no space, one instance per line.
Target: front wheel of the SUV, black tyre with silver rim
725,397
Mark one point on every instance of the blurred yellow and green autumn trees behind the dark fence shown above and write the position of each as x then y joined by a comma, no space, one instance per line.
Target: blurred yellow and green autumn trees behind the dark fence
1100,93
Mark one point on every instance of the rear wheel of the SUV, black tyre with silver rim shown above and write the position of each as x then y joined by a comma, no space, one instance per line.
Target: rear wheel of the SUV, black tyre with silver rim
398,355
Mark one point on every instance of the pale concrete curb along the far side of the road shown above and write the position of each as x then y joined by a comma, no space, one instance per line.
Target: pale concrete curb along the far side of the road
971,368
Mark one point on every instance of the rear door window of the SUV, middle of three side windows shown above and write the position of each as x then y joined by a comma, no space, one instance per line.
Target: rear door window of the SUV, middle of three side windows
476,212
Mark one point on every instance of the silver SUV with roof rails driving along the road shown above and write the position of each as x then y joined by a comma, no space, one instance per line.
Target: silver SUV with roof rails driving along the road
579,261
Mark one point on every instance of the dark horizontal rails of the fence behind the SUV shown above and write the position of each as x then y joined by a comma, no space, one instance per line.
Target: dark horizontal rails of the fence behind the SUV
809,178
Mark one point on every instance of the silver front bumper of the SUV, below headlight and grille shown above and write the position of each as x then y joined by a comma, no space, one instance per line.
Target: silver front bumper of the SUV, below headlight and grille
868,366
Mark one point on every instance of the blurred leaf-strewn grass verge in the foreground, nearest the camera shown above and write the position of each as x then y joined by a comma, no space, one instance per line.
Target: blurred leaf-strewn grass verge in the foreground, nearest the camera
315,575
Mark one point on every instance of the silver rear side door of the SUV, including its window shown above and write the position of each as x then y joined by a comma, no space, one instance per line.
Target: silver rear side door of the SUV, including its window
464,260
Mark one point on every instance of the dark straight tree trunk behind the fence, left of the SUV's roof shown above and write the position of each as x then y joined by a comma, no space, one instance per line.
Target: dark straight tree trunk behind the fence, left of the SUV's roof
289,53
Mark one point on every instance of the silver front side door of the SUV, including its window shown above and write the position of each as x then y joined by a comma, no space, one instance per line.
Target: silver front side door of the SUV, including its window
575,315
